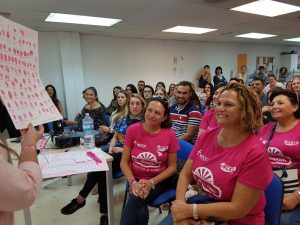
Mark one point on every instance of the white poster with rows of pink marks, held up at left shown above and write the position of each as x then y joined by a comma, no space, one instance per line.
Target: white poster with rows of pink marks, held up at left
21,88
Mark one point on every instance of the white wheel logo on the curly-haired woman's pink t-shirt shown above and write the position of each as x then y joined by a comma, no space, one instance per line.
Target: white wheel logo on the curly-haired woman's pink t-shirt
204,175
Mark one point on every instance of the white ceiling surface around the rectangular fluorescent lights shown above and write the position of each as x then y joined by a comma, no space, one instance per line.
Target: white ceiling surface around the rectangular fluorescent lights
147,18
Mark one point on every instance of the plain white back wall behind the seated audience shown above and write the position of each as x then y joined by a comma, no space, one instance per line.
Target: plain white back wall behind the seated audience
110,61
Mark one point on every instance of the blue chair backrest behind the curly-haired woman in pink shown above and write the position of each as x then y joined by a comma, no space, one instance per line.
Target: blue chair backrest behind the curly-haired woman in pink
274,197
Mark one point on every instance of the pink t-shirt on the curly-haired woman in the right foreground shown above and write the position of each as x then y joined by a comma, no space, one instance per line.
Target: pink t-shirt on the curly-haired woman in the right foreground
217,170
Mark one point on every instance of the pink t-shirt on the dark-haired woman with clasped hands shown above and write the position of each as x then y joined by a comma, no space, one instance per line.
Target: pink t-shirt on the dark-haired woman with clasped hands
149,152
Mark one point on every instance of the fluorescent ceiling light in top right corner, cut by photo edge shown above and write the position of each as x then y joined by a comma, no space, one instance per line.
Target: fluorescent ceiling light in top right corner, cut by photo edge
267,8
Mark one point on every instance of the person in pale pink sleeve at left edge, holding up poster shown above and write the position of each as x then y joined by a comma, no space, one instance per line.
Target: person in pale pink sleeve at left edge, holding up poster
19,185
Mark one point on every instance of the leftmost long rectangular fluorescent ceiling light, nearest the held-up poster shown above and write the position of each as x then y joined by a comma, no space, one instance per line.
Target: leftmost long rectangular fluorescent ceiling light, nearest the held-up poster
77,19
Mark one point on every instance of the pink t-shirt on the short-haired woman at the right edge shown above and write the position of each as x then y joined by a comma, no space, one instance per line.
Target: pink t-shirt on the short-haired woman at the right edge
284,147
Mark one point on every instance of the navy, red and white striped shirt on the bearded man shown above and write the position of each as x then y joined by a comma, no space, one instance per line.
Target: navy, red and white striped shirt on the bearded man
189,116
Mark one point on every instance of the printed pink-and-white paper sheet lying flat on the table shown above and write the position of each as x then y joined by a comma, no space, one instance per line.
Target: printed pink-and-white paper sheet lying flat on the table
69,163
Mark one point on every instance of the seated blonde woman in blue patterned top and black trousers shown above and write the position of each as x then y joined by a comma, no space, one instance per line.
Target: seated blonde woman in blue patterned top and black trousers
136,106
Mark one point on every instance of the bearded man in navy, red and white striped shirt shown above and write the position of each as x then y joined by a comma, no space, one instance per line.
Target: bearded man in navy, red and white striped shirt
185,116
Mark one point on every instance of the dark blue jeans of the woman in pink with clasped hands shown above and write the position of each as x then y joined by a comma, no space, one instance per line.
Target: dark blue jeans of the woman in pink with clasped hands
136,209
